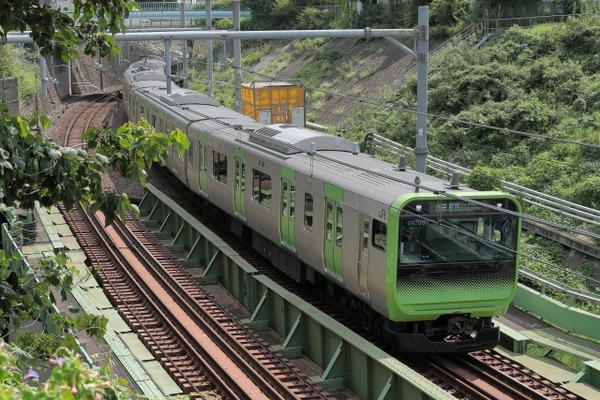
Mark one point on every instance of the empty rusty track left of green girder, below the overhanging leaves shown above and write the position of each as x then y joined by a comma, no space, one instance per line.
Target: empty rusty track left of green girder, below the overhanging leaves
195,339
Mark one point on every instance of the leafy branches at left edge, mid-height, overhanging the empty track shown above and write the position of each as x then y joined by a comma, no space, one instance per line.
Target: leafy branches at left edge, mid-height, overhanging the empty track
36,169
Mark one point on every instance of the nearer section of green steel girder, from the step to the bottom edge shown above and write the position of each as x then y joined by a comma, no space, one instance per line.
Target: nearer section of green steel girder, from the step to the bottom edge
345,359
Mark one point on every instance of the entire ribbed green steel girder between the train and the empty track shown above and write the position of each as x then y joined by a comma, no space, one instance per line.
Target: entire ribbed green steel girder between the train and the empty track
343,357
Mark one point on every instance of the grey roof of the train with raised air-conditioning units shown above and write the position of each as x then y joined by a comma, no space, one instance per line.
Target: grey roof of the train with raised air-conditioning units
326,157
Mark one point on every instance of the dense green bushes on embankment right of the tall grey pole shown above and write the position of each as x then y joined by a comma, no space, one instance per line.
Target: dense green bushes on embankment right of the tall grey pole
533,81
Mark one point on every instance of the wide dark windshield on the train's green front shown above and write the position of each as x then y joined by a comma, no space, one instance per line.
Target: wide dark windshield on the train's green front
466,234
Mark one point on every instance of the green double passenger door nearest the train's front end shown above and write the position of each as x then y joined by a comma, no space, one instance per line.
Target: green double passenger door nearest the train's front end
333,230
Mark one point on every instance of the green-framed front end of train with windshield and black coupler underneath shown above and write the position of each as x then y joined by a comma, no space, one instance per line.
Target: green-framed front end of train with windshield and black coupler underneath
452,265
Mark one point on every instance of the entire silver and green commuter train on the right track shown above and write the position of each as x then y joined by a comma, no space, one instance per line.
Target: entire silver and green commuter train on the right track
427,263
